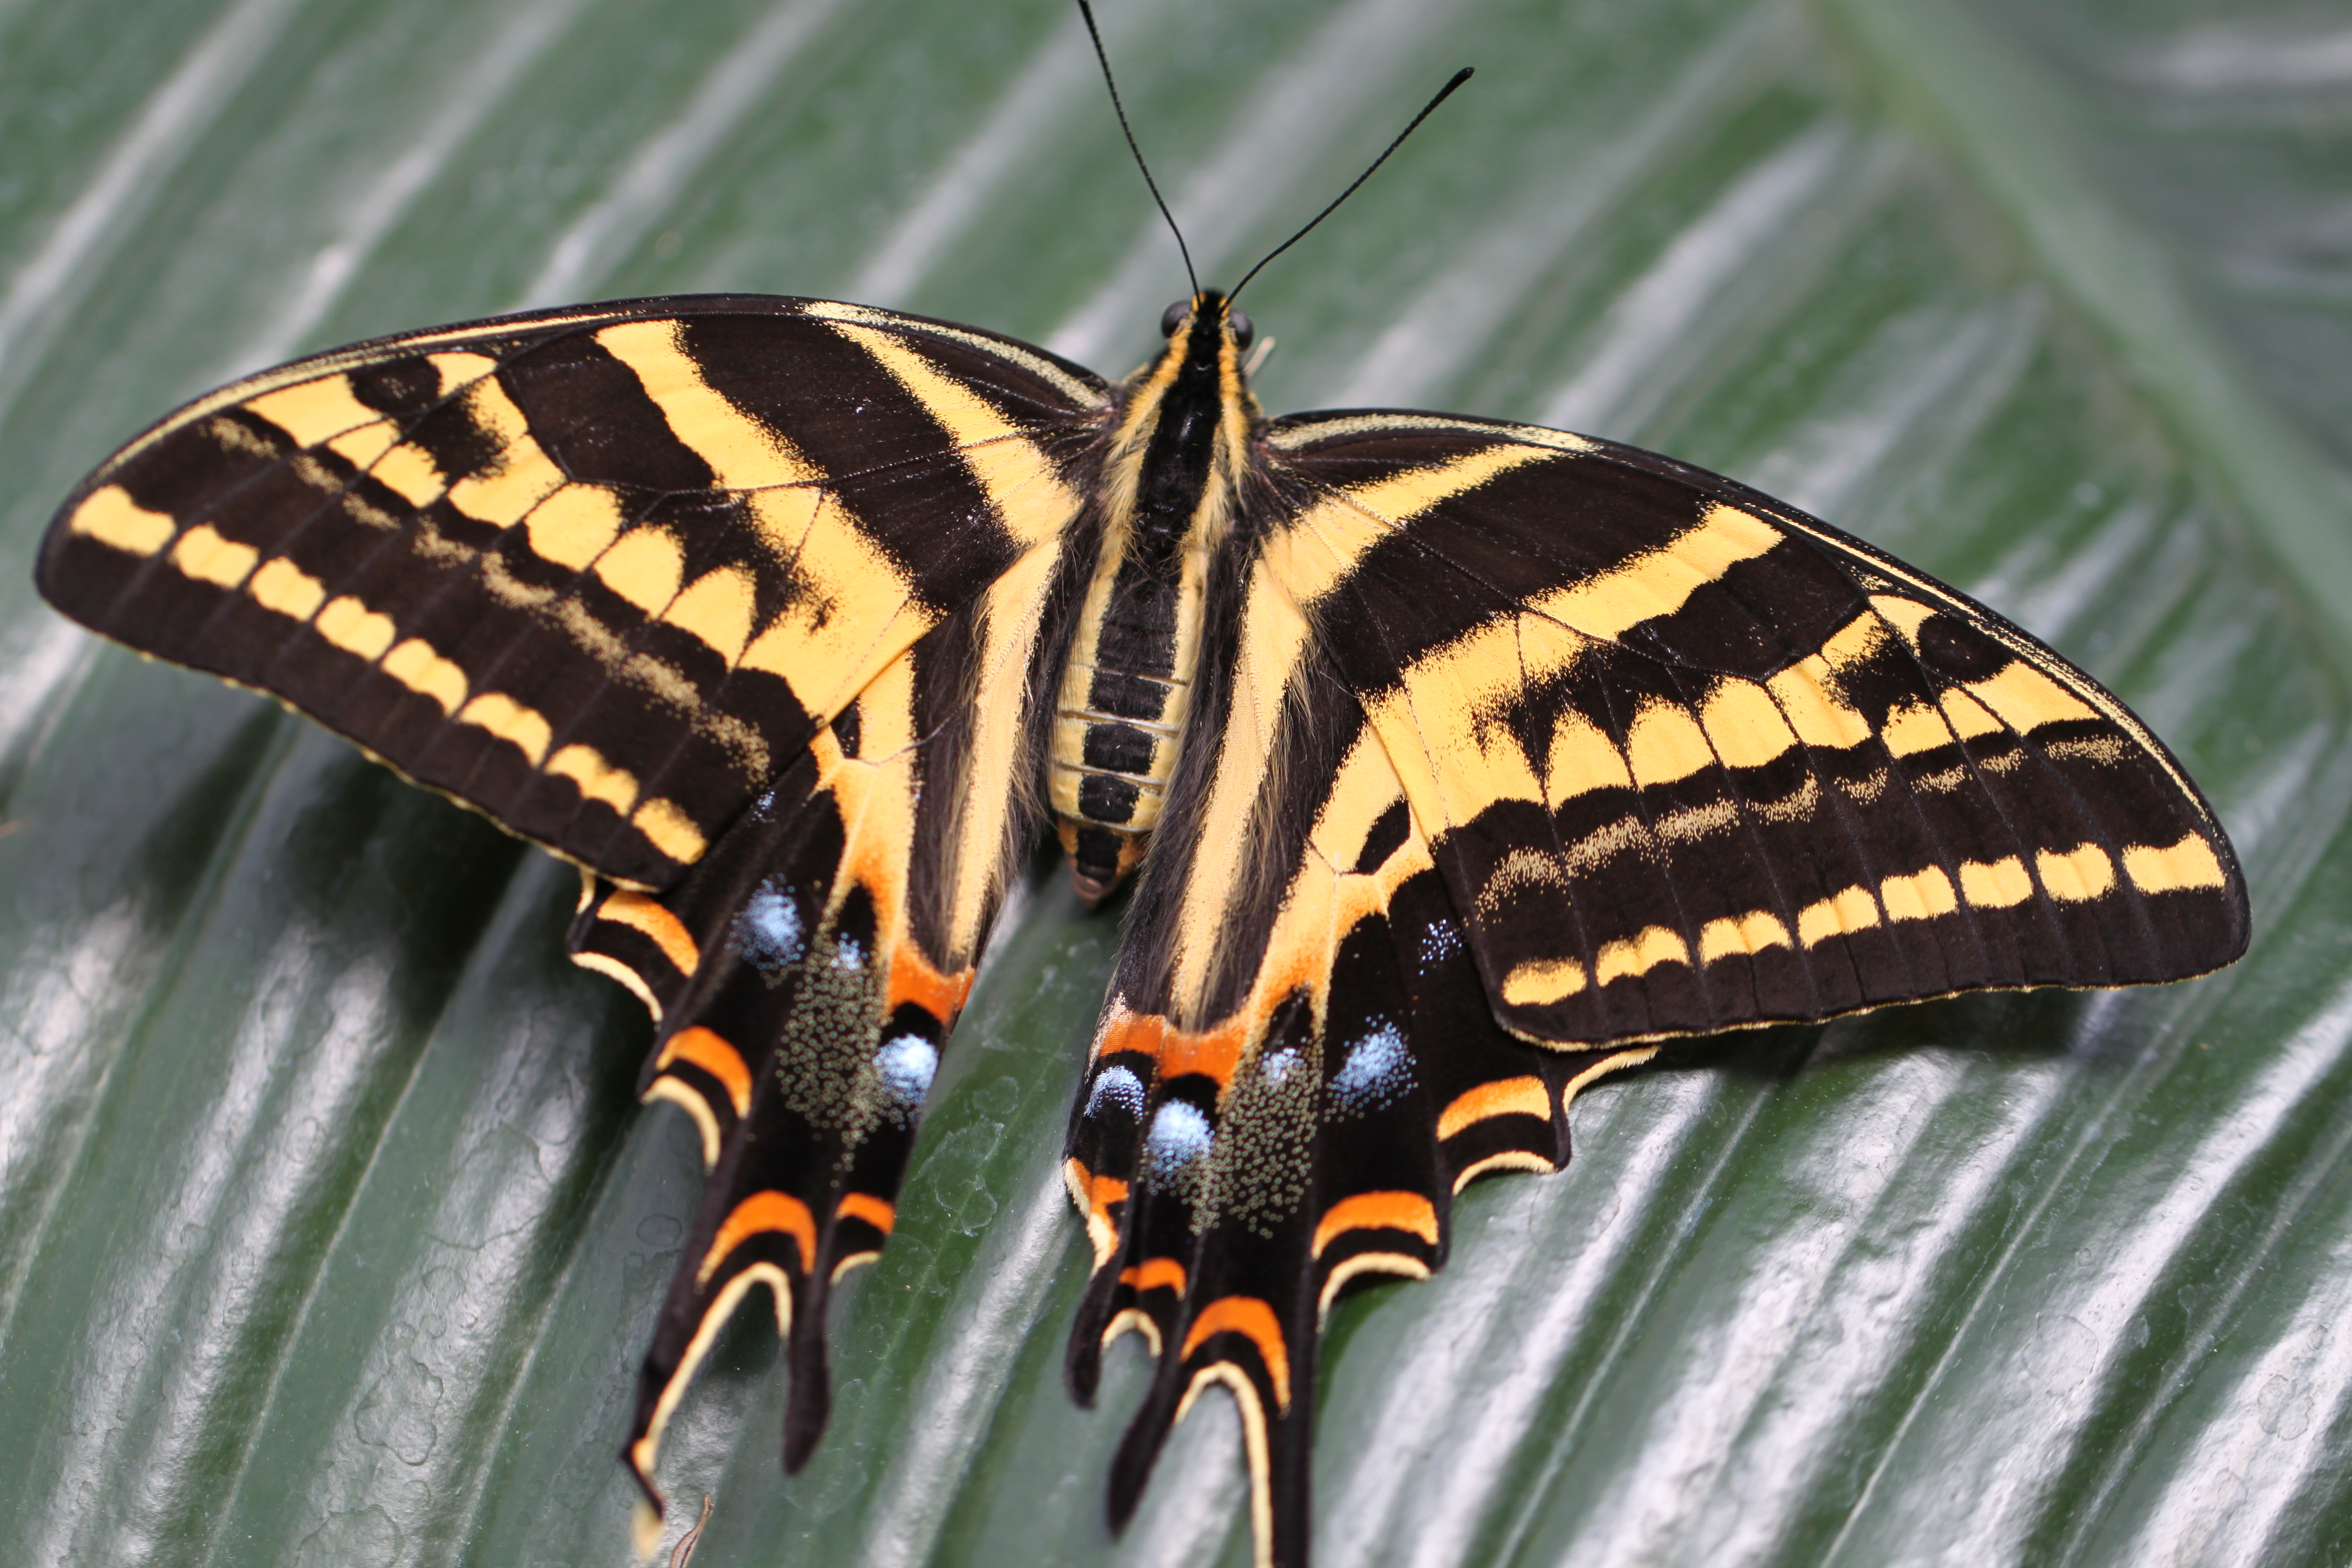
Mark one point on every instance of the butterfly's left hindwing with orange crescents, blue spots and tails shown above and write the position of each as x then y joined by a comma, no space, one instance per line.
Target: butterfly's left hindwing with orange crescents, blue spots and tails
806,977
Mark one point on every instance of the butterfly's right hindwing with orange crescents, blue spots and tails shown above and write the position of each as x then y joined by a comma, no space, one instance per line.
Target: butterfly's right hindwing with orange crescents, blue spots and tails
1297,1071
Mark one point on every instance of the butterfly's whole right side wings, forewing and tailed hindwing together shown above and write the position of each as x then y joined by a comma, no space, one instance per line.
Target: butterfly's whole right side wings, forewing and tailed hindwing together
1549,749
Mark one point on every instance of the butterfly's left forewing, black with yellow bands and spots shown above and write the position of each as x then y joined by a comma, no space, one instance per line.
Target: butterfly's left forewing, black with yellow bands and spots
596,572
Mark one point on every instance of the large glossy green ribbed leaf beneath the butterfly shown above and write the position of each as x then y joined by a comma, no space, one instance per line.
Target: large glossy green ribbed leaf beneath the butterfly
328,1231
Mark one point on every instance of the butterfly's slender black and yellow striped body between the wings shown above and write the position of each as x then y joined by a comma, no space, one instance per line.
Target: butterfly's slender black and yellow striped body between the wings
1170,483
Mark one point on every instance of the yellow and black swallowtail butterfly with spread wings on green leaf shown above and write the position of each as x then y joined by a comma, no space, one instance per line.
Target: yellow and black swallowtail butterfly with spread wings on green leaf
1452,765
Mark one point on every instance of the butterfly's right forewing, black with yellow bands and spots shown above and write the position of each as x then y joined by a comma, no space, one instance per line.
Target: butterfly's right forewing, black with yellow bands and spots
1695,760
